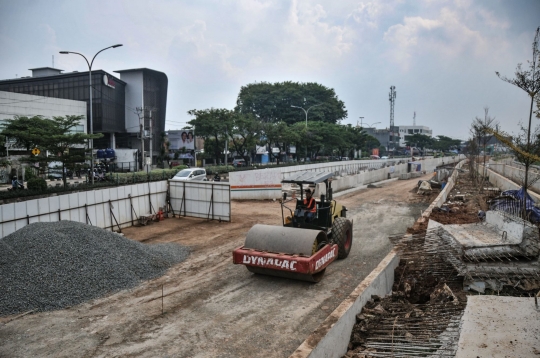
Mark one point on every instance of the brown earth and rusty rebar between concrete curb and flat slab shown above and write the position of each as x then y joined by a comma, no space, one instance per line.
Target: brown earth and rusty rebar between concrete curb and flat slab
421,317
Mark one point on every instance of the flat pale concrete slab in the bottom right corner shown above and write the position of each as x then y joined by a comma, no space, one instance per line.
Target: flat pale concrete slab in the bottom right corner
499,326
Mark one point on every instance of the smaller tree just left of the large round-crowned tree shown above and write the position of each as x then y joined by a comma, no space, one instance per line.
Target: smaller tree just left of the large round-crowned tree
213,123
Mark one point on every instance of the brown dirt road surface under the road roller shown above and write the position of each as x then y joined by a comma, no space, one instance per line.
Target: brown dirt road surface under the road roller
213,308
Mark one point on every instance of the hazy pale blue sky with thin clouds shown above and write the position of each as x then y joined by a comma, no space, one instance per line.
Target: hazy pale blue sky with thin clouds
440,55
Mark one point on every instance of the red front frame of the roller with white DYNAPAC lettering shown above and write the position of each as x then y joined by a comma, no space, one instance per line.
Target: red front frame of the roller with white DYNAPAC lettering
286,262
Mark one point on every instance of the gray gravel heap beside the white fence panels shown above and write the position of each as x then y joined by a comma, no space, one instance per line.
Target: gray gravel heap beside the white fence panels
48,266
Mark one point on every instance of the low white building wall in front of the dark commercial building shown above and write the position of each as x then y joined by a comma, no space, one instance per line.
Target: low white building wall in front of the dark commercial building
18,104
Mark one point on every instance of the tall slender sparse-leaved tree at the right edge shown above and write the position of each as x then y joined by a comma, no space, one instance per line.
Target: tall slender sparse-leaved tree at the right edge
528,81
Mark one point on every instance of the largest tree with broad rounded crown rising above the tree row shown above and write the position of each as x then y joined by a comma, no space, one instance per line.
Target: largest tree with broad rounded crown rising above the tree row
271,102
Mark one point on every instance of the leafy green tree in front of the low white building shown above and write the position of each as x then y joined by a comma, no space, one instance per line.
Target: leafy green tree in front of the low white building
55,135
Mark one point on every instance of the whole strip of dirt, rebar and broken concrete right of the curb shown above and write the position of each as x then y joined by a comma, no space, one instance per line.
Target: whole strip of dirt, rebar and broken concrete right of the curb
468,249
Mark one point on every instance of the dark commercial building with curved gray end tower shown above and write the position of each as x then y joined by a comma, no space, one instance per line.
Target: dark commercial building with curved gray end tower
129,111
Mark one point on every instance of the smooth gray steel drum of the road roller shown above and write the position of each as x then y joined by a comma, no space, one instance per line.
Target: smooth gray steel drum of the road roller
284,240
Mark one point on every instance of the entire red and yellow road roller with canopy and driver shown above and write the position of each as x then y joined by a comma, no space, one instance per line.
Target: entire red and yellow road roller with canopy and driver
309,238
